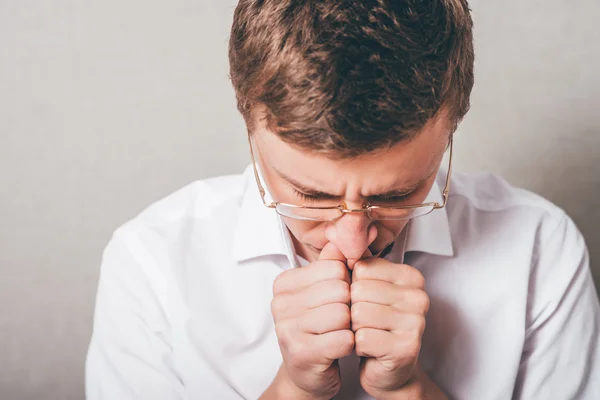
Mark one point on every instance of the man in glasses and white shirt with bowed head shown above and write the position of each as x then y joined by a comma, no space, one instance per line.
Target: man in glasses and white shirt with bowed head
347,261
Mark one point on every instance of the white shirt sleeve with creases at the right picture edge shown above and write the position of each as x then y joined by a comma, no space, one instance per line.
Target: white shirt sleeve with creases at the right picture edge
561,356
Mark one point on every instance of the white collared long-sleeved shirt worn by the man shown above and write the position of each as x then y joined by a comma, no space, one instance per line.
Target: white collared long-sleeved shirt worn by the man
183,306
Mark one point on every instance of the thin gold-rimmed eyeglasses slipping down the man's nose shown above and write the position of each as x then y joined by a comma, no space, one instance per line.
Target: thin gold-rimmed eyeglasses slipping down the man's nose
365,209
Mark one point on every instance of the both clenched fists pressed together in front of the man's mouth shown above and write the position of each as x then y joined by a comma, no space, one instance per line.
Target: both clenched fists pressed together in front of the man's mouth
322,313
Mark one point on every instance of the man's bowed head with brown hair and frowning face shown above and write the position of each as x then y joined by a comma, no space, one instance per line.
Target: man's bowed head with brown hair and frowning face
353,99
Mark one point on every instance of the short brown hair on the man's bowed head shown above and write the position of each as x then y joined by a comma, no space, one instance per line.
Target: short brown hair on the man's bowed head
351,77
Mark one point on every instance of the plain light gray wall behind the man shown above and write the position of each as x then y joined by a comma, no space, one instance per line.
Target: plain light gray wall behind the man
107,106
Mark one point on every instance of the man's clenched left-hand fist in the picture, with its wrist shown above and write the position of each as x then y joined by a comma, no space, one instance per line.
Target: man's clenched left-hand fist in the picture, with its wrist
311,311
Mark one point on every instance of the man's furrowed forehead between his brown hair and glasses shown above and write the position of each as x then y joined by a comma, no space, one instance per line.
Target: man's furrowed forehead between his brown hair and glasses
402,164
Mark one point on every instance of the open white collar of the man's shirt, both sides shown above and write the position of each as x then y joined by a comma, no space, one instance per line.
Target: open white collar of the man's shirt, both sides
260,231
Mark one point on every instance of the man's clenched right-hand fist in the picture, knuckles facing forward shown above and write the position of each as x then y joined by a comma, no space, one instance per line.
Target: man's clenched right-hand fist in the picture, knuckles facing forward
389,304
